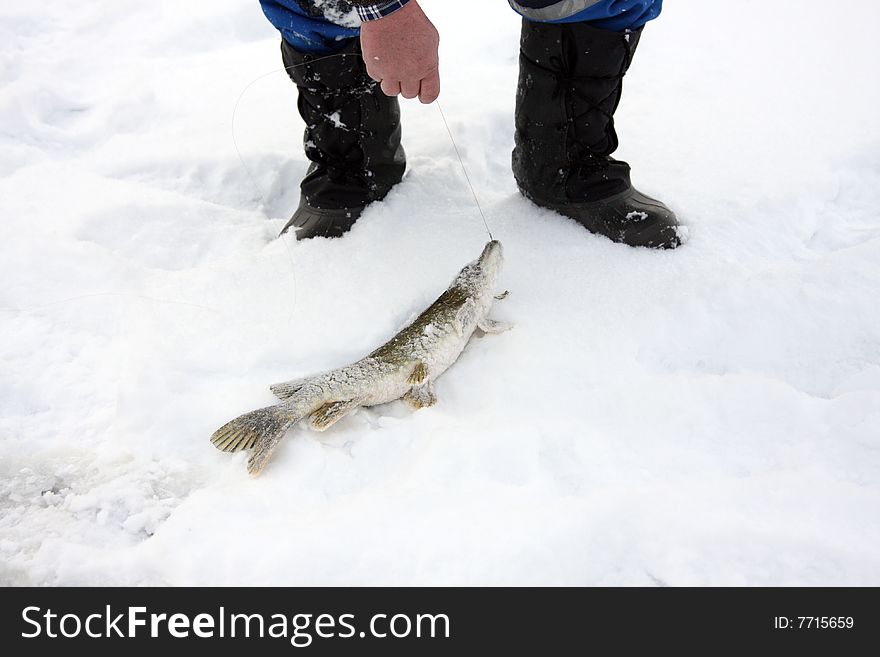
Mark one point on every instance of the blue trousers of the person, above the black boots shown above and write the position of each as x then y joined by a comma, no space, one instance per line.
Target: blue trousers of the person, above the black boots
309,31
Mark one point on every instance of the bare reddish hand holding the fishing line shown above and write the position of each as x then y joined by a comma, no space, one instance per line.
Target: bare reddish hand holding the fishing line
400,51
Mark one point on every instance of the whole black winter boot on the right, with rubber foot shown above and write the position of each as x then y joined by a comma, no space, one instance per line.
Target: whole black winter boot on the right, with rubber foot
570,80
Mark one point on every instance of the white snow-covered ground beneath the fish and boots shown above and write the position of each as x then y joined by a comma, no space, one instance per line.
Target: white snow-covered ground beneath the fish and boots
709,416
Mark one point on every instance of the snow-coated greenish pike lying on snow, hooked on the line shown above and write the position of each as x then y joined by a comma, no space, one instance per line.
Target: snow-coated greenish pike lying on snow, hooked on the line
405,367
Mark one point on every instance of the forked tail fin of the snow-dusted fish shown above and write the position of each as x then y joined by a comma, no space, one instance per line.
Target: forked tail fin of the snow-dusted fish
259,431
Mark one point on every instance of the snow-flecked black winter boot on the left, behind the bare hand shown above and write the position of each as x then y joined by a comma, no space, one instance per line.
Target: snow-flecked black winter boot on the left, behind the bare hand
352,137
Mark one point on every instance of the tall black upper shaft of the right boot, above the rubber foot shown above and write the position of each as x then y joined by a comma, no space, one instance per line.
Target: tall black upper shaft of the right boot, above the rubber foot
570,83
